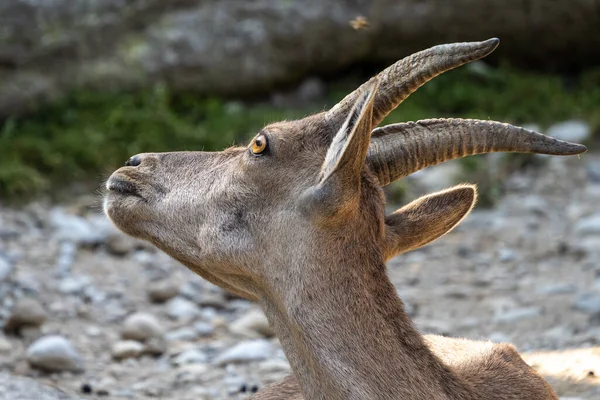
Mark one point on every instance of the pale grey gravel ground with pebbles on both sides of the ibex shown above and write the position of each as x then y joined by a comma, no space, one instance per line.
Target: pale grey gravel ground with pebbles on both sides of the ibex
103,316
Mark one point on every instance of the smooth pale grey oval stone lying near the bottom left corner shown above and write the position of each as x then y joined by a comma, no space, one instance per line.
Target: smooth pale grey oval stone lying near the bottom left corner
54,353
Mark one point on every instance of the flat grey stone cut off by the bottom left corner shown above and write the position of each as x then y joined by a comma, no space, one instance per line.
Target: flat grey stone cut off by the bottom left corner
14,387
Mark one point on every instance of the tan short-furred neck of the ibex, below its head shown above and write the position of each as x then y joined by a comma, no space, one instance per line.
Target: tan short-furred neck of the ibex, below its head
347,336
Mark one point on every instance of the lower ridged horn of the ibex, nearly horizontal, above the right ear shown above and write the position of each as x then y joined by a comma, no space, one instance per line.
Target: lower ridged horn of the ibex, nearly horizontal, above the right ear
400,149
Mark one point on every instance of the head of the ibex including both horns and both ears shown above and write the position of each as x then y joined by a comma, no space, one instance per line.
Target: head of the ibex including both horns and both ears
303,192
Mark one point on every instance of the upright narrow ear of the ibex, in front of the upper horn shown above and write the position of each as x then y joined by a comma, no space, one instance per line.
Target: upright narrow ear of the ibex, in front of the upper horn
346,155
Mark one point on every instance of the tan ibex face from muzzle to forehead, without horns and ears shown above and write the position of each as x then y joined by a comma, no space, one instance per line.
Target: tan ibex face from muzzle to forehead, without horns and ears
226,214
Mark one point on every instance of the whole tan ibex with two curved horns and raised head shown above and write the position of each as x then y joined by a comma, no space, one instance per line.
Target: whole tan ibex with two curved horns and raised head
296,222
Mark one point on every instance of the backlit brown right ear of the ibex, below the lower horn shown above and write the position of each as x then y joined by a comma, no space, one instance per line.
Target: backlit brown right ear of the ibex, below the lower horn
427,218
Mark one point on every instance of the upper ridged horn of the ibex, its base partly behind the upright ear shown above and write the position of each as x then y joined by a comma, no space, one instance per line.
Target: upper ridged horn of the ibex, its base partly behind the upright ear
407,75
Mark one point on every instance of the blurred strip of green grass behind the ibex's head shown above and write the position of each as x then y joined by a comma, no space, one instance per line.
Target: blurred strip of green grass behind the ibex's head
88,134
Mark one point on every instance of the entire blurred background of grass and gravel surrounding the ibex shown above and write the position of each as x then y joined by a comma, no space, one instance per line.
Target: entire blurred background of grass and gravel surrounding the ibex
86,84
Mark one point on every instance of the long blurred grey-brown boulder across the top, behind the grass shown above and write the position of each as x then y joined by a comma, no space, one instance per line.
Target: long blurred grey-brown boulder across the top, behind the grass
231,47
